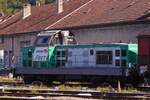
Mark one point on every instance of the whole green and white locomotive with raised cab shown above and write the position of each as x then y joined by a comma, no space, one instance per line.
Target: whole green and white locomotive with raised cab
56,56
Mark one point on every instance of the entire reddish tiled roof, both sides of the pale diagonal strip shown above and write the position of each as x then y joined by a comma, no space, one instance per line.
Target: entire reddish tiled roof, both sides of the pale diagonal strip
77,13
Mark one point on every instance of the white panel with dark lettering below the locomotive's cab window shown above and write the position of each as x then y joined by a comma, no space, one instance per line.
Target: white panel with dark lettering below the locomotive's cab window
40,54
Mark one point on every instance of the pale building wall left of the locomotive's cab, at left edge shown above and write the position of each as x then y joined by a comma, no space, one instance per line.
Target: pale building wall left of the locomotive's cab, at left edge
10,48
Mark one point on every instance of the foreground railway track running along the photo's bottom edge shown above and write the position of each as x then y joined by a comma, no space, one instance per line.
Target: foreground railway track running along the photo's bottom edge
43,94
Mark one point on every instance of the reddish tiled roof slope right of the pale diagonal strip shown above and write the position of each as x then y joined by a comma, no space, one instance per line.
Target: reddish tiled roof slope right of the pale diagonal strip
106,11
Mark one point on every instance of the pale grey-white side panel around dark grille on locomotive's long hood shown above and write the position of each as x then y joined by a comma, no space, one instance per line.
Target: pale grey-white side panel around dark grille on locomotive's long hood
81,57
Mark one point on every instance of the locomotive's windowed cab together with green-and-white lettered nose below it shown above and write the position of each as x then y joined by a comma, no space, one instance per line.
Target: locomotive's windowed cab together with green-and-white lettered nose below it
42,54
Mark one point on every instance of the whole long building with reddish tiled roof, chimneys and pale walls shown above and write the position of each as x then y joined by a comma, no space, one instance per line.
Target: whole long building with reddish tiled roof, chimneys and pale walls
91,21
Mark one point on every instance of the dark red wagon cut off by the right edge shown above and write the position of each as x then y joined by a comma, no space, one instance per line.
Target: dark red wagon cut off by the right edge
144,55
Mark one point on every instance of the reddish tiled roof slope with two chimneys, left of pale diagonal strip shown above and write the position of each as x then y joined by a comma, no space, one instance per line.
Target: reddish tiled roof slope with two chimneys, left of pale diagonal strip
40,18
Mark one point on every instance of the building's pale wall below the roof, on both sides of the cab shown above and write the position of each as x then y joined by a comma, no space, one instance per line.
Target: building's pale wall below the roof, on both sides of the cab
125,33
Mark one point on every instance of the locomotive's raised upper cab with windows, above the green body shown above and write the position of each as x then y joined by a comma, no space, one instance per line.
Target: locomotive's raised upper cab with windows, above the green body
52,38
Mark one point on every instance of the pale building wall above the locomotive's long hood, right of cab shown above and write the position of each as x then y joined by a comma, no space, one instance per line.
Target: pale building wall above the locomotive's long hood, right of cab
113,34
